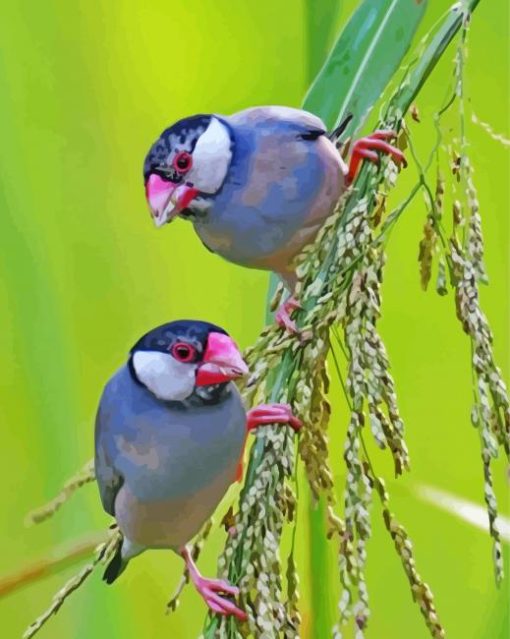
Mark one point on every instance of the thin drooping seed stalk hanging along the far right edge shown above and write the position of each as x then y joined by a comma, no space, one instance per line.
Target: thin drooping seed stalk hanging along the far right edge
463,252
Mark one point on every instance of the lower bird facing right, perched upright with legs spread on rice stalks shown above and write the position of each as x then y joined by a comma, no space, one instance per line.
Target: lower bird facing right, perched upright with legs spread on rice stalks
170,434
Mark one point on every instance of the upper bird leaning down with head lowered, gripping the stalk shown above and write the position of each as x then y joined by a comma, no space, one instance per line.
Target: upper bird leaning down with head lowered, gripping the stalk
257,185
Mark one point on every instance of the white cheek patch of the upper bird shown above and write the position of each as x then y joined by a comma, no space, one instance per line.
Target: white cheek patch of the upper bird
211,158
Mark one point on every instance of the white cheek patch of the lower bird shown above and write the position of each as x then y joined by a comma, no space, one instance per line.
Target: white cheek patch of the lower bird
164,376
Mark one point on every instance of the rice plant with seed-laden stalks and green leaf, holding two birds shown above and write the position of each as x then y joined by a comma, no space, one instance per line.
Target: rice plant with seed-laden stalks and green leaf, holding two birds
340,290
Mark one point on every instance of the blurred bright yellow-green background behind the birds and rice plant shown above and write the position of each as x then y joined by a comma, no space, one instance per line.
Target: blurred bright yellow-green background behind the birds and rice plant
86,87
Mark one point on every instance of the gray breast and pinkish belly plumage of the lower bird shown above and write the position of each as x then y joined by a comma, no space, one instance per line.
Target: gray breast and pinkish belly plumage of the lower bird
162,467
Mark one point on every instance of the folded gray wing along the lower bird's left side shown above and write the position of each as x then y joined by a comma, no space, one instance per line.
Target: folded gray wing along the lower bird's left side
108,478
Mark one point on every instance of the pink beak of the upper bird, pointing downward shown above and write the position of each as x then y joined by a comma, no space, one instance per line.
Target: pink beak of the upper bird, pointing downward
167,199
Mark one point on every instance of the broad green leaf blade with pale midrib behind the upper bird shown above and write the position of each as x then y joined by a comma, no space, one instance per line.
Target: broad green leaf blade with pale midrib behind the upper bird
363,60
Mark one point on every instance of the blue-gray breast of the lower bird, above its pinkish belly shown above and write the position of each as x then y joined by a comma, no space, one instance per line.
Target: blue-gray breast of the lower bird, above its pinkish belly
164,451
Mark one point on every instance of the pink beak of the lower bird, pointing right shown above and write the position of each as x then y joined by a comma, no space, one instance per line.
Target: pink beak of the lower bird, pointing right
222,361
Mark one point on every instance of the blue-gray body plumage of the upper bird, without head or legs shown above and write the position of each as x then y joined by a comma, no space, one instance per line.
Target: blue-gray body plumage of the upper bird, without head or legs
284,180
